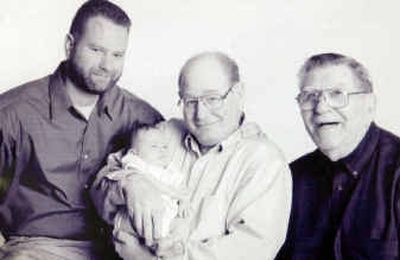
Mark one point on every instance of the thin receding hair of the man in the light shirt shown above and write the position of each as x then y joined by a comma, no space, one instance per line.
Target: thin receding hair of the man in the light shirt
227,63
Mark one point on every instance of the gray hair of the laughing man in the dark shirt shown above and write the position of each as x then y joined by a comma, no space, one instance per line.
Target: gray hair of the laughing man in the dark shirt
326,59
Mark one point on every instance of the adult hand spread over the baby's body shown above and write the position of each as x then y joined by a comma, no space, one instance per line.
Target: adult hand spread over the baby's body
145,207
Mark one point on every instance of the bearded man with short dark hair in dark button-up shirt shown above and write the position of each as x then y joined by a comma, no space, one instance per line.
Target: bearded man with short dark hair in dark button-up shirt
55,134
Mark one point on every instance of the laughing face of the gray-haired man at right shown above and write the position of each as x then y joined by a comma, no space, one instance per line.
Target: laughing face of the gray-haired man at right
337,130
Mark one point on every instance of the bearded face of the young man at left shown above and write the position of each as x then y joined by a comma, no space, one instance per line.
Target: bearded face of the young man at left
97,58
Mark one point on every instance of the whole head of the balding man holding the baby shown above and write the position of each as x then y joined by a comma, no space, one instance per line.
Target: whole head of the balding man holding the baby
211,93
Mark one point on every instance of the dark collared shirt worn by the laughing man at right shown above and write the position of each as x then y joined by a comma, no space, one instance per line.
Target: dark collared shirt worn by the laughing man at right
347,209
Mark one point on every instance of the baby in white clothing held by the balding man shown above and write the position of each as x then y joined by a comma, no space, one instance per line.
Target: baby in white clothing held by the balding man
150,155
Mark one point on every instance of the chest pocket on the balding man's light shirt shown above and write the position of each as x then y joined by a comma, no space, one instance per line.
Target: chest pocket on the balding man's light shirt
211,218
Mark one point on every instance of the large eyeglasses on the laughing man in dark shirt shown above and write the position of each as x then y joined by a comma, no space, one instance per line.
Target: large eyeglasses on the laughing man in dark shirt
336,98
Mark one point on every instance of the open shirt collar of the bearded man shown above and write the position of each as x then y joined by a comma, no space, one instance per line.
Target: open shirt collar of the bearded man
60,101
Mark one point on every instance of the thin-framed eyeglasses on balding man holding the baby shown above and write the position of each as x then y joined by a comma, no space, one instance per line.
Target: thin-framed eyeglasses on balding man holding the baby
210,101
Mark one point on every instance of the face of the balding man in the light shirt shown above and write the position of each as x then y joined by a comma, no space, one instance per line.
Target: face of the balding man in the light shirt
210,125
